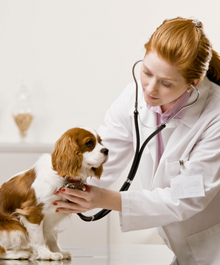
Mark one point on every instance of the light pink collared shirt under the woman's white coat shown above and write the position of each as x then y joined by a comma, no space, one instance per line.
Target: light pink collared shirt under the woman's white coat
163,117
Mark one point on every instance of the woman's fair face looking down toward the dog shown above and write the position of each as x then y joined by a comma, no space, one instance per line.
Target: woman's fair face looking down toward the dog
161,82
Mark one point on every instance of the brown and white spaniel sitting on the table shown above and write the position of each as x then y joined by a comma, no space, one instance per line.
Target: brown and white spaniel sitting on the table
28,219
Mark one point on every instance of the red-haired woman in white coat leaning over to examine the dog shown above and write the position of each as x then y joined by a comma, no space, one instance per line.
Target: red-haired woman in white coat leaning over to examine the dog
180,167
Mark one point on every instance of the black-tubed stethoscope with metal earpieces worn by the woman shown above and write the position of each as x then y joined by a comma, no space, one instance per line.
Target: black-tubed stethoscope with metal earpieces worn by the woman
139,150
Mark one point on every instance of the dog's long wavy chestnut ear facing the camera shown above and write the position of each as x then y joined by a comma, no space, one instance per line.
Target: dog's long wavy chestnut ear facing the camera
66,157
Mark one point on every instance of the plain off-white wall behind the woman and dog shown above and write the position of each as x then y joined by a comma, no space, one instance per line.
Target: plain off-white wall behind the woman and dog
76,57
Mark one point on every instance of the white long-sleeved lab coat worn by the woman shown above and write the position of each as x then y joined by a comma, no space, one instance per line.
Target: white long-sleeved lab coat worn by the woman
190,227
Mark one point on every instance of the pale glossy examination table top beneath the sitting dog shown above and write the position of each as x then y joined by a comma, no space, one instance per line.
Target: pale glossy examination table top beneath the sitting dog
108,255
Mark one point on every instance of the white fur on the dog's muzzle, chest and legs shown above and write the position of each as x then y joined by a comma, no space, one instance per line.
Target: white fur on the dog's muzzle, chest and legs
41,242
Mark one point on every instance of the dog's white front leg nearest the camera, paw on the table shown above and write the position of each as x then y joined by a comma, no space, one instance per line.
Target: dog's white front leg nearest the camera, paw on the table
38,244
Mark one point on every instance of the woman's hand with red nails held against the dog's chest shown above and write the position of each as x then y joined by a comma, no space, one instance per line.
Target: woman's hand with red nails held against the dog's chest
82,201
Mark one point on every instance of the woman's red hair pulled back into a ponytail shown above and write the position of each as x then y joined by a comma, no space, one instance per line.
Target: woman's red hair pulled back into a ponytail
182,42
